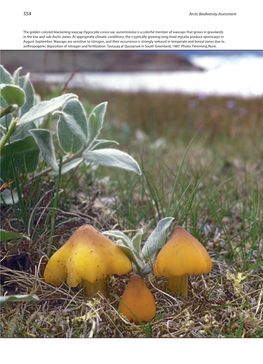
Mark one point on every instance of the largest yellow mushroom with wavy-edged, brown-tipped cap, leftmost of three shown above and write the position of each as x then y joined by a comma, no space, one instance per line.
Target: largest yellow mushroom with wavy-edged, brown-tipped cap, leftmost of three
87,258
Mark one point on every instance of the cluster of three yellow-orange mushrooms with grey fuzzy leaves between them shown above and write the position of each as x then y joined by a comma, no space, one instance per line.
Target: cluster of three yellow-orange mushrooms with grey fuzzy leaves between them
88,258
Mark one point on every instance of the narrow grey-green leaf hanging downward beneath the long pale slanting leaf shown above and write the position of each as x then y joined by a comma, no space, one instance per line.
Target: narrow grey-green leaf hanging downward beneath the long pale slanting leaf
44,141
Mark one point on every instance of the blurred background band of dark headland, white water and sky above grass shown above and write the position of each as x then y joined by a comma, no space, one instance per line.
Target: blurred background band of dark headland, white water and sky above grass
232,73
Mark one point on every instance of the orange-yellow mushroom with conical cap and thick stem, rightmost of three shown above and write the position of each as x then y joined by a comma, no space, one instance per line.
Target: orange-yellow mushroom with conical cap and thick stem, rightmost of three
180,256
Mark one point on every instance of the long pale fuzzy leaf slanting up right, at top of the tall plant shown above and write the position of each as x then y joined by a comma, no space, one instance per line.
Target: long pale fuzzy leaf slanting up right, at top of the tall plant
44,108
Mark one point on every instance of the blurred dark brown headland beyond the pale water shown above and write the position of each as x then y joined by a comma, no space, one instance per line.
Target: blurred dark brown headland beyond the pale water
96,61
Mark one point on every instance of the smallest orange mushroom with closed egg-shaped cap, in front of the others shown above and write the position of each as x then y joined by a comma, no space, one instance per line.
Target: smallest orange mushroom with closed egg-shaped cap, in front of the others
137,302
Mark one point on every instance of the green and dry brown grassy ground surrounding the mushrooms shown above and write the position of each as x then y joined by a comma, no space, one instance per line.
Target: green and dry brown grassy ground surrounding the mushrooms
201,164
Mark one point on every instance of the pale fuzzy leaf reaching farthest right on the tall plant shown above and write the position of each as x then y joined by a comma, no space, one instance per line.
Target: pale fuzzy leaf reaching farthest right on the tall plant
112,158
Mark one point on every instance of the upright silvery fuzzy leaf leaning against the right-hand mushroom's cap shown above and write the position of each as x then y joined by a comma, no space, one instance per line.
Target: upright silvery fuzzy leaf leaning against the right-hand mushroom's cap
156,238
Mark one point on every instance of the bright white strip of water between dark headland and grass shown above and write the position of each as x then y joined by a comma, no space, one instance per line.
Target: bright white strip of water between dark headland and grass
210,83
